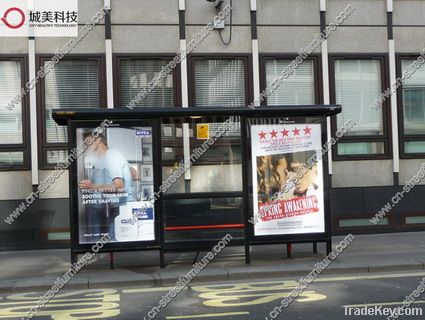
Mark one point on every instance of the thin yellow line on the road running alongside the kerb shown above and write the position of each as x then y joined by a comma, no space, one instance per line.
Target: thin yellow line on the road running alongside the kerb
320,279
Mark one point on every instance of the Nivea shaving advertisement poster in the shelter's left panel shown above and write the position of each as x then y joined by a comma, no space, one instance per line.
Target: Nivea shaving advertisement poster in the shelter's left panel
111,197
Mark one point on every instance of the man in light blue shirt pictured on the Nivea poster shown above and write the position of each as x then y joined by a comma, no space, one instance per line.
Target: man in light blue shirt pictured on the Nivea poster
107,185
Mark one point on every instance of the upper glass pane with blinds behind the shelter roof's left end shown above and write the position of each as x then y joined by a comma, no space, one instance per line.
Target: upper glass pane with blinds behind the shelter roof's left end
70,84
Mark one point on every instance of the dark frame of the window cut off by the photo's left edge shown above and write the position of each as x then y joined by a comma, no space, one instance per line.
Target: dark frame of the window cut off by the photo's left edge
24,147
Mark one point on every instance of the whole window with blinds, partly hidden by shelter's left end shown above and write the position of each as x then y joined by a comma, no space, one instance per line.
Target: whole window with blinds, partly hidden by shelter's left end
73,83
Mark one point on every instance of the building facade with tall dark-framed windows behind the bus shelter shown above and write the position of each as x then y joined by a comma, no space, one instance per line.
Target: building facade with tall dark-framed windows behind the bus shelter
118,58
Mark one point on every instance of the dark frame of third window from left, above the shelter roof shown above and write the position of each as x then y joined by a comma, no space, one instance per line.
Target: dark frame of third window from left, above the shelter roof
118,57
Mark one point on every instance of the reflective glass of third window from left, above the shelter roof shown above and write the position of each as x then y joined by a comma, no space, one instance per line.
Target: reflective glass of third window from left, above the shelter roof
136,74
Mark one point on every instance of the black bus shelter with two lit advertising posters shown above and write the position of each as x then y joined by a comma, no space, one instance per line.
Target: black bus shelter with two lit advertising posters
180,179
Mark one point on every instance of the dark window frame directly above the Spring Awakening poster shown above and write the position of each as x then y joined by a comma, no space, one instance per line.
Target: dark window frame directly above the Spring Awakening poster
317,68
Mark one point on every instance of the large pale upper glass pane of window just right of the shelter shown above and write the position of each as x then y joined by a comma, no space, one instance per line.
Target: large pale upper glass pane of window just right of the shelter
357,85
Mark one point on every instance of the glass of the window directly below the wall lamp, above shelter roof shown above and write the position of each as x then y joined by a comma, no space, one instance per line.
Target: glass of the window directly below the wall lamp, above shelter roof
220,82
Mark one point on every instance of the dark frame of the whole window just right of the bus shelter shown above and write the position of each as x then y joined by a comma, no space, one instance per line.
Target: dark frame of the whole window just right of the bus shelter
385,138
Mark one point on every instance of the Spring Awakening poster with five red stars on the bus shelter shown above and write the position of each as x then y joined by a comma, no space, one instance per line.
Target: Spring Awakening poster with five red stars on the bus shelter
288,188
